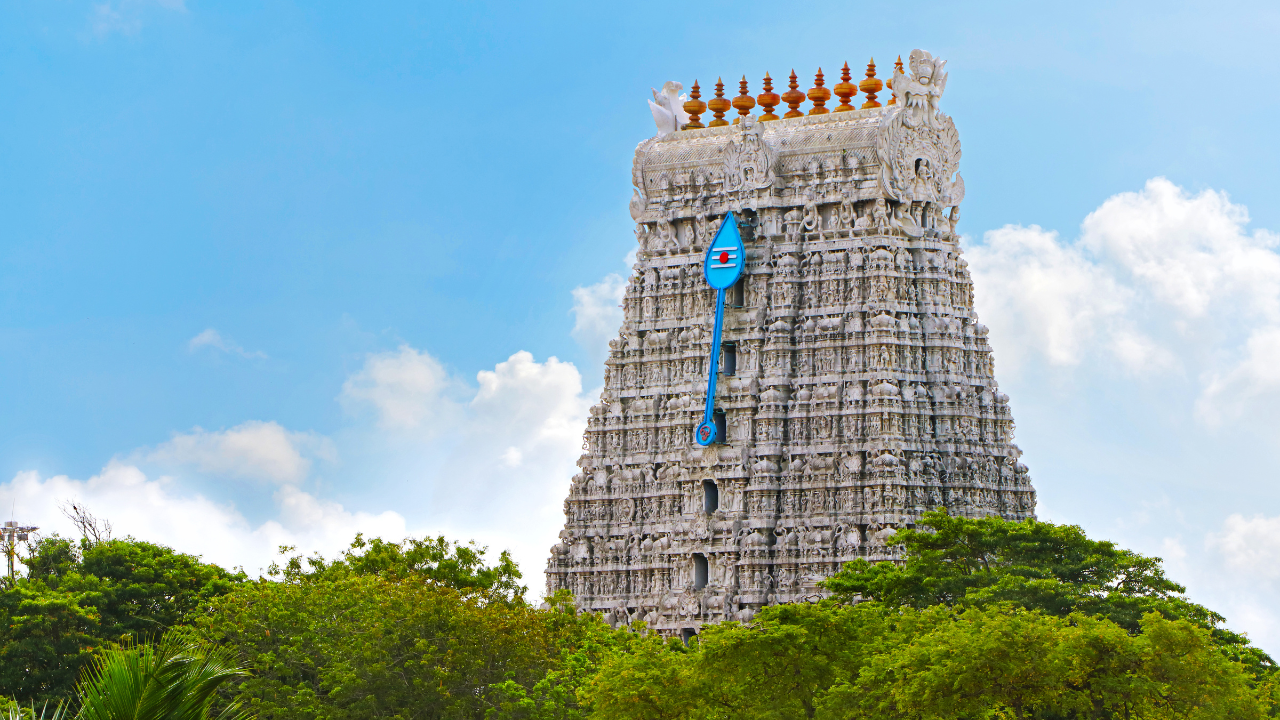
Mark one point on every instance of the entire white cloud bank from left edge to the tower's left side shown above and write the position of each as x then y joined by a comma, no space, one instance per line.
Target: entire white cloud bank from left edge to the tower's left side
490,462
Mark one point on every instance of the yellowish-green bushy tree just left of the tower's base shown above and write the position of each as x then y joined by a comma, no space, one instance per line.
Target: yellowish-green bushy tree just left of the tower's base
383,632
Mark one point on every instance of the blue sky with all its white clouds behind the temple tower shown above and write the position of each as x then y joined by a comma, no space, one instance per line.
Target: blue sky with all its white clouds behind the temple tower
280,272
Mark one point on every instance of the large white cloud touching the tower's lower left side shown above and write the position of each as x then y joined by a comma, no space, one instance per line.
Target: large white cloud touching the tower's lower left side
499,471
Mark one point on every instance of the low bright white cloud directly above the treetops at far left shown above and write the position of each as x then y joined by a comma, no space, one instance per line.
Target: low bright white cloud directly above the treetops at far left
157,511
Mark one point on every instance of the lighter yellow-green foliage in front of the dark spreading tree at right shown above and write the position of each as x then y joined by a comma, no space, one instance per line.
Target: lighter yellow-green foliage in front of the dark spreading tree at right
874,662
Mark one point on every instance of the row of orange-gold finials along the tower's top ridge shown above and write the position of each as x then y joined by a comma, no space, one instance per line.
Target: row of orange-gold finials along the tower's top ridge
793,98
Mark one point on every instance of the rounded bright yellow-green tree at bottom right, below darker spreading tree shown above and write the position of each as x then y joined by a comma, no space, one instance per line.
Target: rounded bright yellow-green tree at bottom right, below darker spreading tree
1012,663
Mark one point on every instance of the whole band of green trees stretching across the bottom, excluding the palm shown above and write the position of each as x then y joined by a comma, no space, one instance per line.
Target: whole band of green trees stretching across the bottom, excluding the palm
982,619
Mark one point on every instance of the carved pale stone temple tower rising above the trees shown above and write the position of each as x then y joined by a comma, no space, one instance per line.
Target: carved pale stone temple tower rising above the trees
856,388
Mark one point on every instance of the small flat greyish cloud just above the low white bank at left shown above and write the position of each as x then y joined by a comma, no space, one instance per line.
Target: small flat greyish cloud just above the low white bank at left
253,450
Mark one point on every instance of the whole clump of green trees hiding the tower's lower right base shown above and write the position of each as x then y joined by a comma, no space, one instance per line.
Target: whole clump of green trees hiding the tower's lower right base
984,619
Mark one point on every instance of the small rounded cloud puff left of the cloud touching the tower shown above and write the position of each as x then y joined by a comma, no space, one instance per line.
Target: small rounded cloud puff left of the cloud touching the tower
406,389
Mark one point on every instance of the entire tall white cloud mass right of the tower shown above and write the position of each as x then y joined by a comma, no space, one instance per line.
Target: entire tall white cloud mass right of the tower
1180,294
